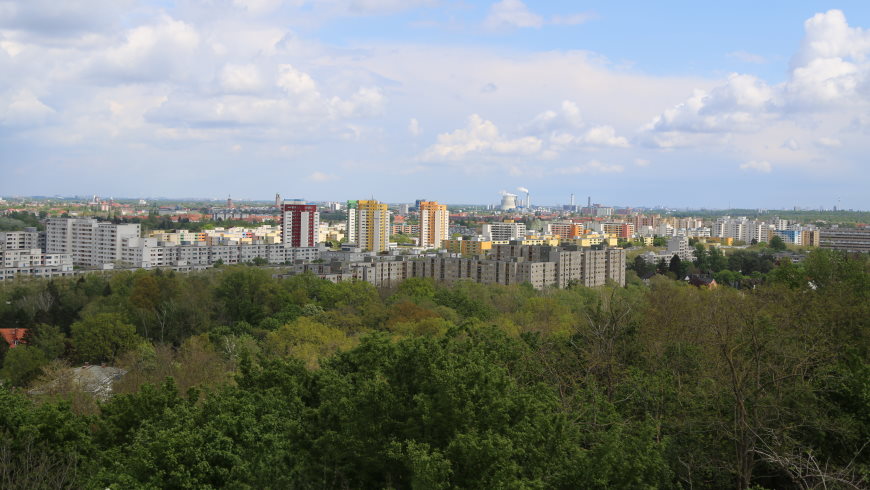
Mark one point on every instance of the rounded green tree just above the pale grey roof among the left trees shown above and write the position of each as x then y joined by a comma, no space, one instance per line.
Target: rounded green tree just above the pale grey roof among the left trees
103,337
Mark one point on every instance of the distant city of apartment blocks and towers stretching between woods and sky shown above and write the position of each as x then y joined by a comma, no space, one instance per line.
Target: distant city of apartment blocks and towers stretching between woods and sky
511,241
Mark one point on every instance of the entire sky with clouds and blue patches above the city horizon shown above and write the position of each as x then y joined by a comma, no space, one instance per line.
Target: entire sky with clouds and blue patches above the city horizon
676,103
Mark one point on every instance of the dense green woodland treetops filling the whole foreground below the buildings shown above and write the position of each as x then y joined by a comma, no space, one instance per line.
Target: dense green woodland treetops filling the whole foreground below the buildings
302,383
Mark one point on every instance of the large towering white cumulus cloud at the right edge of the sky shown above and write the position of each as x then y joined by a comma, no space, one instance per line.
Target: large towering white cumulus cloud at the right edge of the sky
830,74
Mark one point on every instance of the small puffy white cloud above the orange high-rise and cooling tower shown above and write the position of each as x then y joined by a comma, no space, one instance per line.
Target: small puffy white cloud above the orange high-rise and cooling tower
480,137
